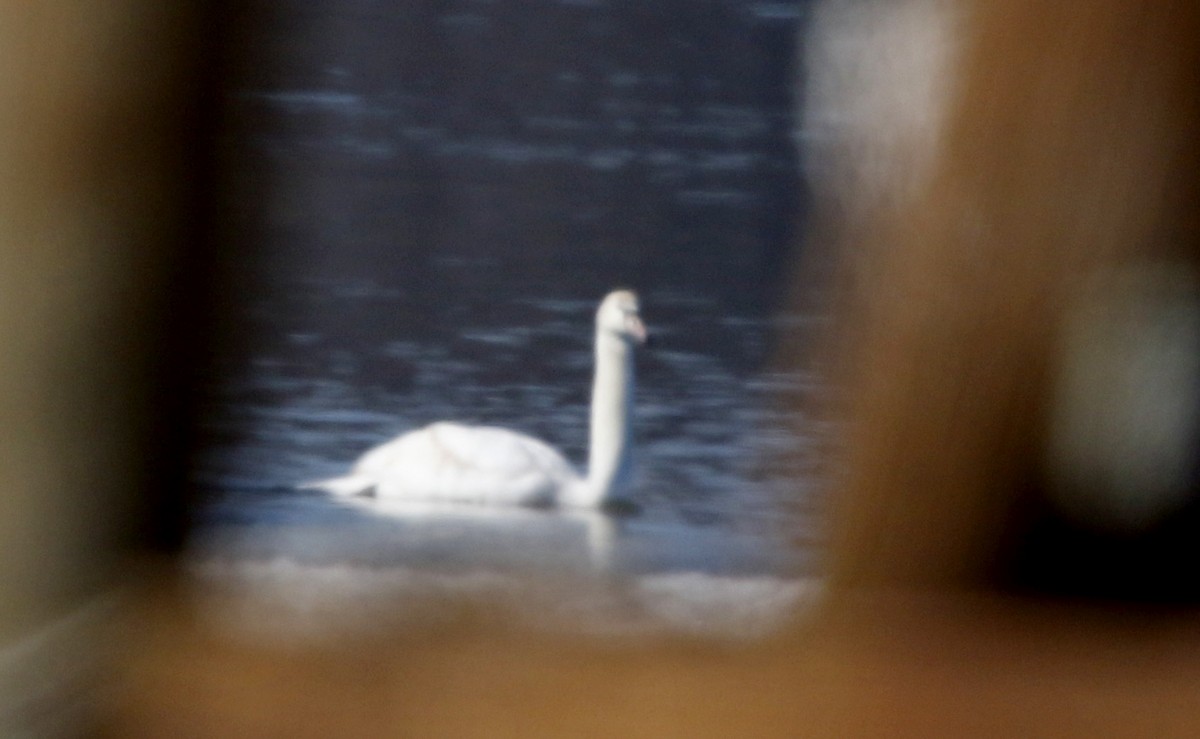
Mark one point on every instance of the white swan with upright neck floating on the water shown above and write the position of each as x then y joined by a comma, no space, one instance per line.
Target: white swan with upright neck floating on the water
483,465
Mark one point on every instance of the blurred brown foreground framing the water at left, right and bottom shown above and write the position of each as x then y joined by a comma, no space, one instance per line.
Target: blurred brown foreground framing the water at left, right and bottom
1007,555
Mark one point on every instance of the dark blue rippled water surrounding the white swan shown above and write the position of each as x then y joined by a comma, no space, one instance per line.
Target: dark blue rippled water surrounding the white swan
425,201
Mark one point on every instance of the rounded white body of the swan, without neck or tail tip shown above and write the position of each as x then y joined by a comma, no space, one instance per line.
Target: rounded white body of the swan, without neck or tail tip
466,464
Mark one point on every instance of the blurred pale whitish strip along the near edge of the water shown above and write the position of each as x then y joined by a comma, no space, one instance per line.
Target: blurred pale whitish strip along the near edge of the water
283,600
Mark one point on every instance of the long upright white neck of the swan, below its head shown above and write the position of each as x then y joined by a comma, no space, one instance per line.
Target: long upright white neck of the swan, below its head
610,452
